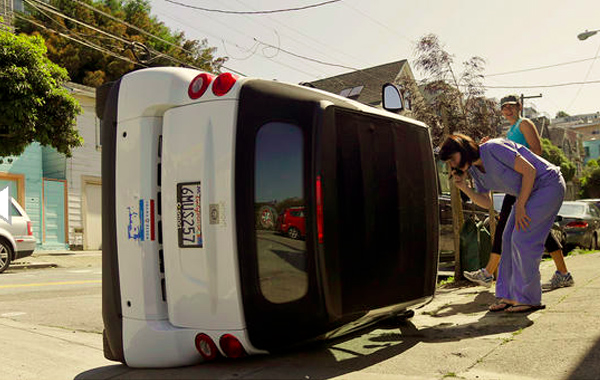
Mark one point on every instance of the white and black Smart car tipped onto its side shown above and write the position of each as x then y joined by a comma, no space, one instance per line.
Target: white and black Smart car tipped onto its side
195,169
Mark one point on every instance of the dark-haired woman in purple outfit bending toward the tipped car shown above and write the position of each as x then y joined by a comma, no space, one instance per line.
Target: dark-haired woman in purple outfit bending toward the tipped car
504,166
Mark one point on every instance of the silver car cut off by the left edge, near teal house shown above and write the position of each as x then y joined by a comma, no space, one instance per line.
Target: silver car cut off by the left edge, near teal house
16,238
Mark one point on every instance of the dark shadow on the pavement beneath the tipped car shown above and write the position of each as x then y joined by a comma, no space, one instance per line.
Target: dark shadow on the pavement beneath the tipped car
327,359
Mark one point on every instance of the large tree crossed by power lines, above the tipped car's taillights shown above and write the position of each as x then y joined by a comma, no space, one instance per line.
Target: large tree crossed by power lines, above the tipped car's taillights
99,41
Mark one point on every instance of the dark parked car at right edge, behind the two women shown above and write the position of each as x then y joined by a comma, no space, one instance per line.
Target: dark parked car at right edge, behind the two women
581,222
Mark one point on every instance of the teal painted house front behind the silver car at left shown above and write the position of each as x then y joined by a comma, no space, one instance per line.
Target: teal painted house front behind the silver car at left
37,181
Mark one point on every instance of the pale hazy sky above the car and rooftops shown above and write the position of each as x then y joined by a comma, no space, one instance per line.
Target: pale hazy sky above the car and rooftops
517,39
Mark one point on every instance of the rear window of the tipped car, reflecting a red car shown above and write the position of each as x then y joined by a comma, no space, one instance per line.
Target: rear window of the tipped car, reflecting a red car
279,178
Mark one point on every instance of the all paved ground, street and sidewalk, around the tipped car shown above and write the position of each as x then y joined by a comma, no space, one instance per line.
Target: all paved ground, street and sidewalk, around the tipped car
50,321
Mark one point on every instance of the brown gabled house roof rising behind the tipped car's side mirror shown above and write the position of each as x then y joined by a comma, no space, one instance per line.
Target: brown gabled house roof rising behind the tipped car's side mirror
365,85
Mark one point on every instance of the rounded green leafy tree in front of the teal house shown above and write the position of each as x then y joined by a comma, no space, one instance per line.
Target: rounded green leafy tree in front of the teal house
33,102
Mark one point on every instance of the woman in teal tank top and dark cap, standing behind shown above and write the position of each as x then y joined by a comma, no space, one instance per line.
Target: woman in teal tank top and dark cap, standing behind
524,132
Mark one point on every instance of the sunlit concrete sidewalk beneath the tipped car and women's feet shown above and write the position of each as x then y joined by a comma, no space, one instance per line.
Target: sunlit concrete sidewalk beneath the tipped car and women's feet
454,336
